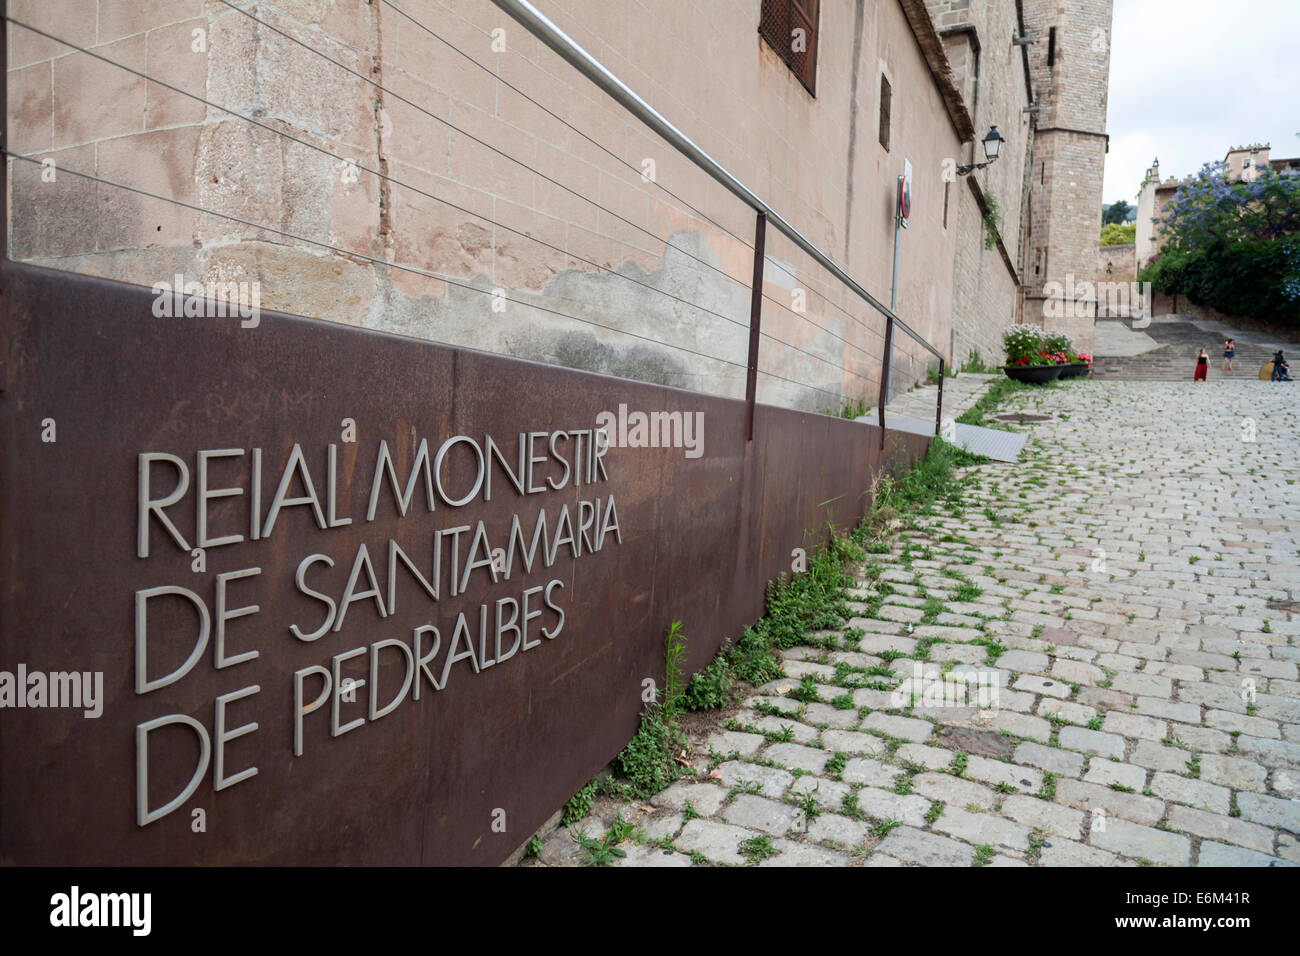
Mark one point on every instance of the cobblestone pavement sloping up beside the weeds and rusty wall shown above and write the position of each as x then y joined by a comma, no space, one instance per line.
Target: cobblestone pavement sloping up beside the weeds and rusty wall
1129,591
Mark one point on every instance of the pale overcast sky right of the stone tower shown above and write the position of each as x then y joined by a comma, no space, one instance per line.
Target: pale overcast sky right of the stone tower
1193,79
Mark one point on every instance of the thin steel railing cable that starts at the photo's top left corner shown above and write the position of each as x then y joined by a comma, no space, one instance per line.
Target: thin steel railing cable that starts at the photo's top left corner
396,181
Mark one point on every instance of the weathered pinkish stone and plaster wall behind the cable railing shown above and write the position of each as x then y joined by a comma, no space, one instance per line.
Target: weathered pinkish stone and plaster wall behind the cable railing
430,168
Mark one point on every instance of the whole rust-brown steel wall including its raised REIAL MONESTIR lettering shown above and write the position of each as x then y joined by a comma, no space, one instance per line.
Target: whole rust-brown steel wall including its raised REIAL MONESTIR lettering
292,592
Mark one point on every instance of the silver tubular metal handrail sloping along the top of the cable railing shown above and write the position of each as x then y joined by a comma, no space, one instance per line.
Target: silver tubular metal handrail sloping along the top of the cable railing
544,29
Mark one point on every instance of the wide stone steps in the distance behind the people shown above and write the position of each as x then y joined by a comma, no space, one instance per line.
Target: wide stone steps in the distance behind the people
1171,354
